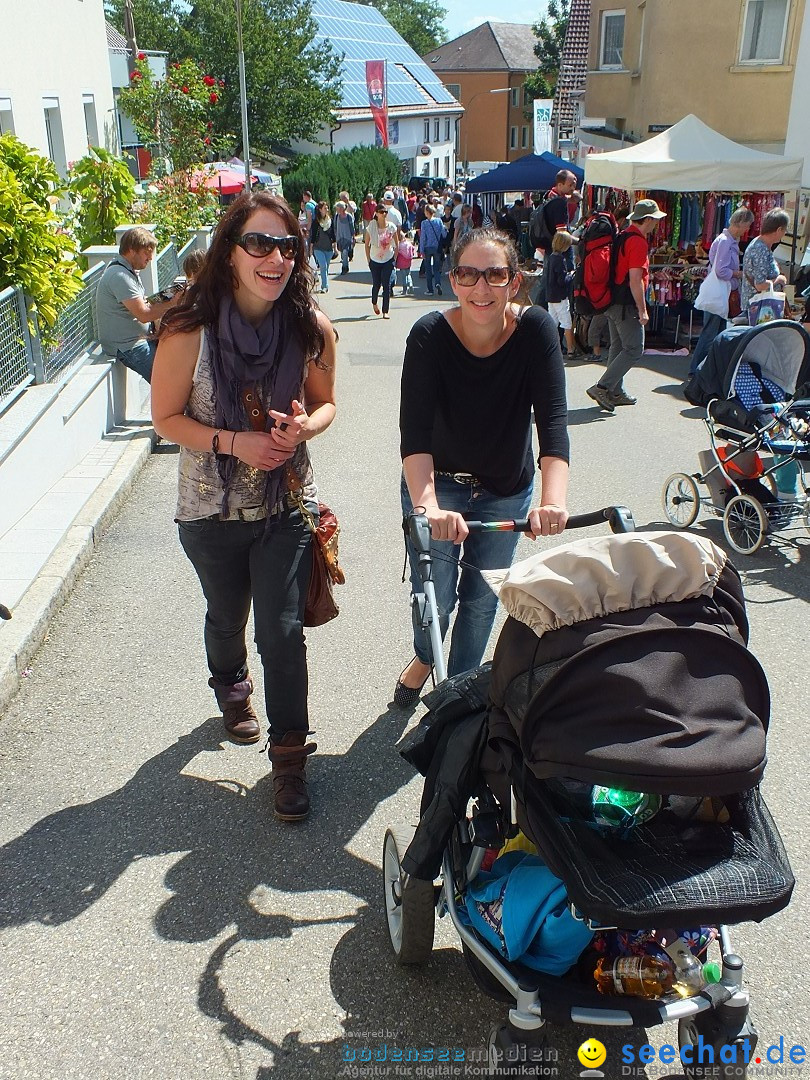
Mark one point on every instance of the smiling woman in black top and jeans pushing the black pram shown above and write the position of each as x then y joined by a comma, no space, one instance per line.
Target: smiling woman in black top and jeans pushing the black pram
471,379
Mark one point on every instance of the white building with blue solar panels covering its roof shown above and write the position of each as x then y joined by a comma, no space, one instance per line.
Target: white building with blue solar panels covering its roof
423,116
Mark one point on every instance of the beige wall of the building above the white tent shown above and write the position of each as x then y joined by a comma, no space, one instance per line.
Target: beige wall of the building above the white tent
683,58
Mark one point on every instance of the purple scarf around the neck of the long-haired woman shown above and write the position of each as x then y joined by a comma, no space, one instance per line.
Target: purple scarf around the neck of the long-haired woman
266,357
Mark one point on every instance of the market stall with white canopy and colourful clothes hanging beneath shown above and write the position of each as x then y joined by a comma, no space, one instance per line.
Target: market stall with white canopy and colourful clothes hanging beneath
698,178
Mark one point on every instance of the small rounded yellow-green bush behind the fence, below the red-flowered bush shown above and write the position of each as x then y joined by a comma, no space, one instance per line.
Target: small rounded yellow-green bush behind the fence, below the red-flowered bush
102,190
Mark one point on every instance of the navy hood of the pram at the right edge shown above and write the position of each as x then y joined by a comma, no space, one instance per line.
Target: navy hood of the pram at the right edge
781,349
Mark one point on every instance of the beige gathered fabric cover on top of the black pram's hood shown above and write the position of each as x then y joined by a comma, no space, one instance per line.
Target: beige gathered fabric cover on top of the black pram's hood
598,577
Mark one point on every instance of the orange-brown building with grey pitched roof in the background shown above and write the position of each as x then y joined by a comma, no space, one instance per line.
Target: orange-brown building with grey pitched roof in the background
485,70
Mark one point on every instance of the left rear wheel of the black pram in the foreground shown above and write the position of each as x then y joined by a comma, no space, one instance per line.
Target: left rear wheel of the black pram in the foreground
410,902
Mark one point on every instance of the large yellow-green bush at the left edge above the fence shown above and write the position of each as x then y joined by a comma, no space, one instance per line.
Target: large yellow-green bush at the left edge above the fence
36,255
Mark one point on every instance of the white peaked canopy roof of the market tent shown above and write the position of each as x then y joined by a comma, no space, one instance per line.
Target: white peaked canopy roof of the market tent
693,157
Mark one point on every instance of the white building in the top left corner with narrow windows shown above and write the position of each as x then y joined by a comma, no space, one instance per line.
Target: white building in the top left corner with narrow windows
56,90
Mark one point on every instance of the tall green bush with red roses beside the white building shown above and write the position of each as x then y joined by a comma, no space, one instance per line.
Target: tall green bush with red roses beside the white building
175,117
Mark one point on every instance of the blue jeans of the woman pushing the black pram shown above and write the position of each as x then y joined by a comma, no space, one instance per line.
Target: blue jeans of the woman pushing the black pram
488,551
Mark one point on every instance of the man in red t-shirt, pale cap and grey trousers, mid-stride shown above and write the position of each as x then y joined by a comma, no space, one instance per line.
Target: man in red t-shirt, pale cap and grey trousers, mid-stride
628,312
